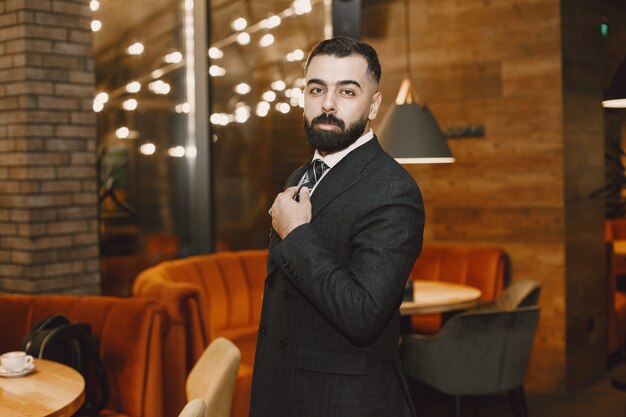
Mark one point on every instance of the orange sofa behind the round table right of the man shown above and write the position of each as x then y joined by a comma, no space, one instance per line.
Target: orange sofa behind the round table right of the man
485,268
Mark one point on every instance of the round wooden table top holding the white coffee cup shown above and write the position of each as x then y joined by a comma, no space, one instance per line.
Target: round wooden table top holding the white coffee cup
50,390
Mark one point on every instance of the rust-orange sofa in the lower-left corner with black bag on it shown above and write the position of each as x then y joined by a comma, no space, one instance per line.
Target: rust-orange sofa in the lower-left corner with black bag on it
131,334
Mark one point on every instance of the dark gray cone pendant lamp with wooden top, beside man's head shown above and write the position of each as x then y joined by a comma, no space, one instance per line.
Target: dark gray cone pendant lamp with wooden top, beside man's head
409,131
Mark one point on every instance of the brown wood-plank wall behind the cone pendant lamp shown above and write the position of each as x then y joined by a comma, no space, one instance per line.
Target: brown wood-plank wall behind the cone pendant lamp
500,65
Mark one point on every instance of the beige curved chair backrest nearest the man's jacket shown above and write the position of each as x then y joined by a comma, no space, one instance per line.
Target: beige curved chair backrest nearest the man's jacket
213,377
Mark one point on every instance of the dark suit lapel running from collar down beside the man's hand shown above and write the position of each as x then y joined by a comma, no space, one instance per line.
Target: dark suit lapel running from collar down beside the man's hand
344,175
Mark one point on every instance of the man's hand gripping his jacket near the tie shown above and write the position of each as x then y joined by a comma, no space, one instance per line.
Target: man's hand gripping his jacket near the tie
287,213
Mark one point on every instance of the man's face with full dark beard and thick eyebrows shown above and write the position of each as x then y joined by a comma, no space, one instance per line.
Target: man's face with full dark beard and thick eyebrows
340,99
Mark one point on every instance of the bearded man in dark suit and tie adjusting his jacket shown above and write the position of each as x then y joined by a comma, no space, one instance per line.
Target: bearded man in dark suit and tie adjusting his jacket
346,233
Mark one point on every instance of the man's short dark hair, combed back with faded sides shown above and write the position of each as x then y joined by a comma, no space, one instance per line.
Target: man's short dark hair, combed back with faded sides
343,47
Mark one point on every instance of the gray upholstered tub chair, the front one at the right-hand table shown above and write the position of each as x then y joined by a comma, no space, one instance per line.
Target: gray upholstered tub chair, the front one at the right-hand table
478,352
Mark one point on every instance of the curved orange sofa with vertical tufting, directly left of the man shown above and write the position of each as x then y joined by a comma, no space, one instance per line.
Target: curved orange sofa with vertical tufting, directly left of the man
207,297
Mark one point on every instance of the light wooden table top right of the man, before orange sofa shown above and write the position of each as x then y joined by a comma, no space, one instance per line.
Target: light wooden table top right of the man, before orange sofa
439,297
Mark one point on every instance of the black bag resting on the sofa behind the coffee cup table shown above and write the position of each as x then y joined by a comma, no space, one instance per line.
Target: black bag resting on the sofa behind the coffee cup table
57,339
